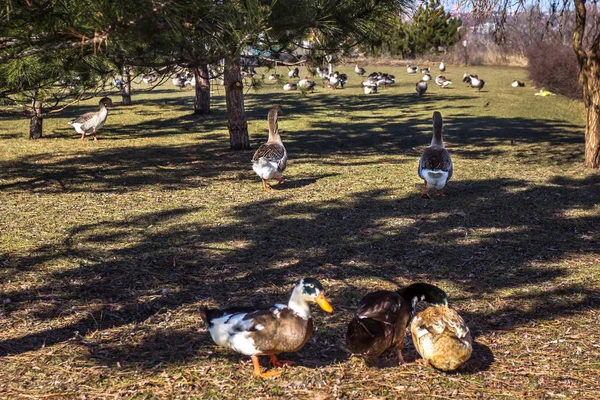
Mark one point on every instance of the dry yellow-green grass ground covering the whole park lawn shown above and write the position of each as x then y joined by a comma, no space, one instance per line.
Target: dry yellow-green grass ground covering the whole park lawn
108,249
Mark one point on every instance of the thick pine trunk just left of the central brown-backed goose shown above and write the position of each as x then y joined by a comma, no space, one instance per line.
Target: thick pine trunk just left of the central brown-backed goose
234,97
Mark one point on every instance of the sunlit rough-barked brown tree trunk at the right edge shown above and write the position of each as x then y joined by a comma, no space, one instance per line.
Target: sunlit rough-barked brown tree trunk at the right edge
589,79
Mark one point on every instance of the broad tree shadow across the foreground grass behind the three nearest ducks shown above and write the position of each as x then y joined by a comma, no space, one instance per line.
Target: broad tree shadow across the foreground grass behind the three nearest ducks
502,234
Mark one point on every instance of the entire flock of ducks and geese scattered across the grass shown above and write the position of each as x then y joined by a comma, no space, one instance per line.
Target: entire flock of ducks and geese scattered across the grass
381,319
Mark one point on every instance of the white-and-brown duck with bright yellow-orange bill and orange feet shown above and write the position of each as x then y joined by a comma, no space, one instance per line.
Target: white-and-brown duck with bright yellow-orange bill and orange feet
268,332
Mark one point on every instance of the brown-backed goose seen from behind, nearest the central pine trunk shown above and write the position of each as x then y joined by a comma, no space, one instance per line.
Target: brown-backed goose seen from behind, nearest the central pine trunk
270,159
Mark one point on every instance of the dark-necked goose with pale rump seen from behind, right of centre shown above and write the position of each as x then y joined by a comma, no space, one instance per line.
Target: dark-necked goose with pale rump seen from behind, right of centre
435,166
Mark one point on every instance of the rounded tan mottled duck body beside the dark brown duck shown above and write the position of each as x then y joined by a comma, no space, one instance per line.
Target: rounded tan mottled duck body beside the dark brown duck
441,337
